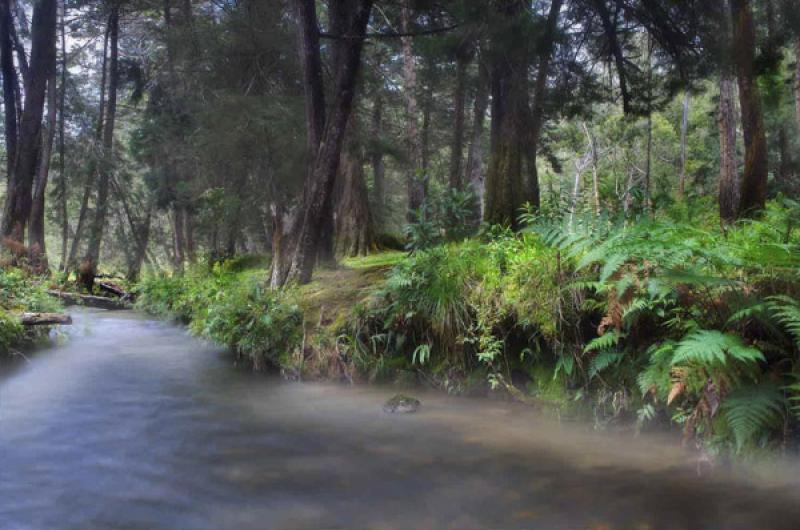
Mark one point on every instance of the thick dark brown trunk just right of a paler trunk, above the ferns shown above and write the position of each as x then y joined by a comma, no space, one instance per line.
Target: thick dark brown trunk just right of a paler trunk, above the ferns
753,193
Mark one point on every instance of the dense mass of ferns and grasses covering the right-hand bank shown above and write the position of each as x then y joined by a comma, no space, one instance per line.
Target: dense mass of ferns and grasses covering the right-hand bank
668,318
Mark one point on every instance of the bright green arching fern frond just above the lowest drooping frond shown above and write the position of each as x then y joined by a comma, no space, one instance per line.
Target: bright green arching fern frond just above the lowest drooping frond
711,347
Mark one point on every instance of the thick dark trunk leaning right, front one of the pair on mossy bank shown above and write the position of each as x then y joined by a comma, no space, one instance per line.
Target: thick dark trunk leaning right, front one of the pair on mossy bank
326,165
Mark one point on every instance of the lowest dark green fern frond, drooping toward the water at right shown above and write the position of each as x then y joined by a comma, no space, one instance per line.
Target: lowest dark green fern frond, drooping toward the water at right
751,411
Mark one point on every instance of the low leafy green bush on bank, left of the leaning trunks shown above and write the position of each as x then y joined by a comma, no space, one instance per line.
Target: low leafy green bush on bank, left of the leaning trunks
228,306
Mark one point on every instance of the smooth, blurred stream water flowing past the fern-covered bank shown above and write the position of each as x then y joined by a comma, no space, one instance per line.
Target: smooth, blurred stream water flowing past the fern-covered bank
132,424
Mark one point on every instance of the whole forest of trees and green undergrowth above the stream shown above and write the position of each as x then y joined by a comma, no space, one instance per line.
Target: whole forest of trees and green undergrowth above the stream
587,205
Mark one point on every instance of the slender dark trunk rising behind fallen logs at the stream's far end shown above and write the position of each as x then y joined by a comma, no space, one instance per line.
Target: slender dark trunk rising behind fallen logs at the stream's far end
107,161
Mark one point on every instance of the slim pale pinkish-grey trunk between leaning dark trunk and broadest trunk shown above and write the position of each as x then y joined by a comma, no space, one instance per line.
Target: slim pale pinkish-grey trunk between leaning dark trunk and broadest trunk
415,184
